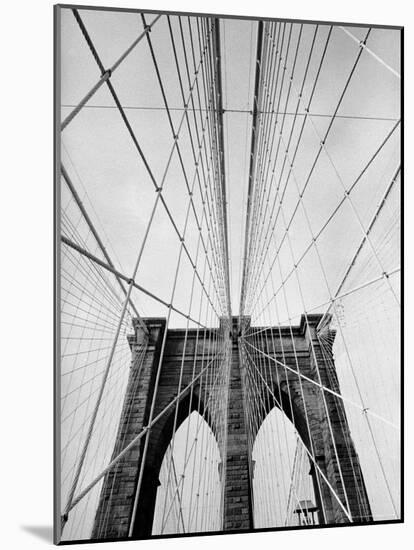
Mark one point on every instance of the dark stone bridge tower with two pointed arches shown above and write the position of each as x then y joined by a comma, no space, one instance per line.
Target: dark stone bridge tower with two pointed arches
335,467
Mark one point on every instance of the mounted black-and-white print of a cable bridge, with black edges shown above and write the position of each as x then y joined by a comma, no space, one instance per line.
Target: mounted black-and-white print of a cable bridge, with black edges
228,342
